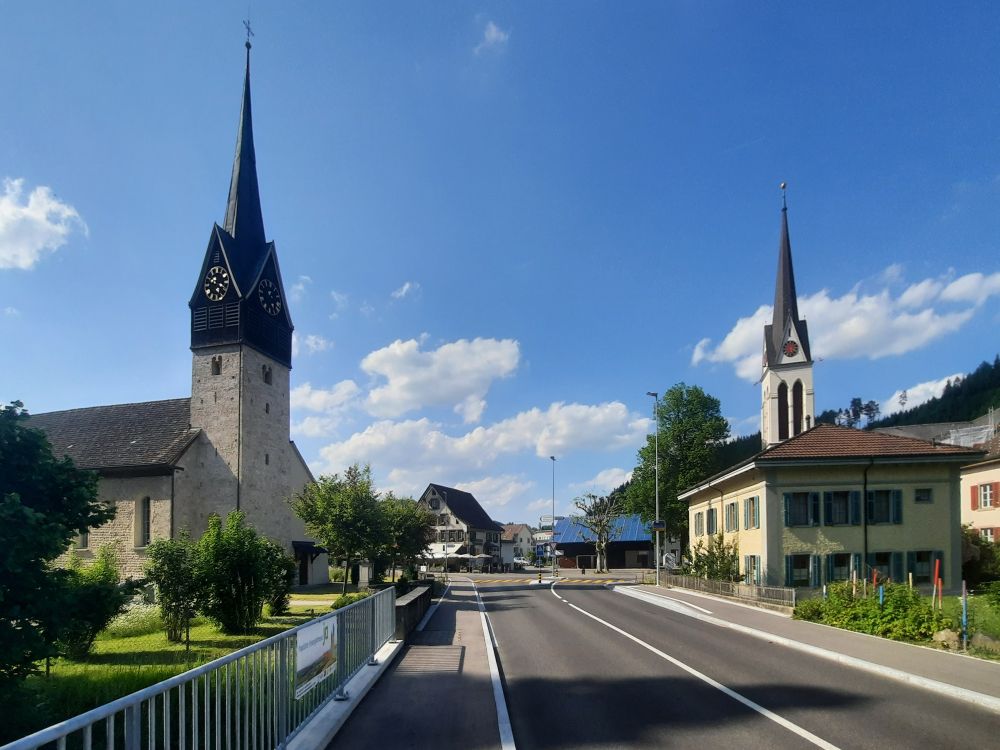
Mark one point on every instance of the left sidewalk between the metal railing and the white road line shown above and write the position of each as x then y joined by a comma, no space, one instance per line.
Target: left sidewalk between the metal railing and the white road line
405,709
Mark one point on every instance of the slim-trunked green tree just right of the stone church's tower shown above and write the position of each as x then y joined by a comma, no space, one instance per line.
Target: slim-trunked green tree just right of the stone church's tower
343,514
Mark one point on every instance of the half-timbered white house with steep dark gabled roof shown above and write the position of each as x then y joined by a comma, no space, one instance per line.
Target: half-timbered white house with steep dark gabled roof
461,525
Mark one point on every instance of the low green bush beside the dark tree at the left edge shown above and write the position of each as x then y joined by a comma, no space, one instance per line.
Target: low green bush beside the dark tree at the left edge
94,596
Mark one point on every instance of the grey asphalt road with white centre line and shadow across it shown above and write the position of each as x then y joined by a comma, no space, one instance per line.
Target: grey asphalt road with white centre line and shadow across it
574,682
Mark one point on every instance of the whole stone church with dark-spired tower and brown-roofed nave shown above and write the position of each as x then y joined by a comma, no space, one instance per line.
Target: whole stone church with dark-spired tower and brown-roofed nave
167,465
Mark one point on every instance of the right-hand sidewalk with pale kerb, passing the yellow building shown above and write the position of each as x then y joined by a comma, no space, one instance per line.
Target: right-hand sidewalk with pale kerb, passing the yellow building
890,658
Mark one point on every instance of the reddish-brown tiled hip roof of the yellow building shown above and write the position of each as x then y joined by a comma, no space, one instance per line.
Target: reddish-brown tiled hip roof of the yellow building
832,441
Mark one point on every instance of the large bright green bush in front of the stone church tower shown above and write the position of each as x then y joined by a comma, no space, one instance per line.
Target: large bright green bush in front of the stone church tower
235,568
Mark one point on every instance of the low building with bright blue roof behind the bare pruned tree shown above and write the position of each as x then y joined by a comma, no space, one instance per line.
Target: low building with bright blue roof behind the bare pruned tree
630,545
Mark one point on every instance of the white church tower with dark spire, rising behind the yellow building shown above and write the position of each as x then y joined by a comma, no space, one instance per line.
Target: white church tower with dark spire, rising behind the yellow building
787,404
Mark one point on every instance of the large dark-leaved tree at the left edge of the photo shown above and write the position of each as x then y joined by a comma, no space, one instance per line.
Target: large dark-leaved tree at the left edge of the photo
44,504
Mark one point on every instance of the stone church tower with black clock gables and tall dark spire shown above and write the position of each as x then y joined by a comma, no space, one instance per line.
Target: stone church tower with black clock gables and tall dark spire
241,340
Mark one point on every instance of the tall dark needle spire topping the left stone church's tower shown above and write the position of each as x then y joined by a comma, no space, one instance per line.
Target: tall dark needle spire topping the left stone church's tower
244,219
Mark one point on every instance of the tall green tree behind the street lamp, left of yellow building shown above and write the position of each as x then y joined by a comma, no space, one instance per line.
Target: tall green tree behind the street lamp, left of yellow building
691,430
